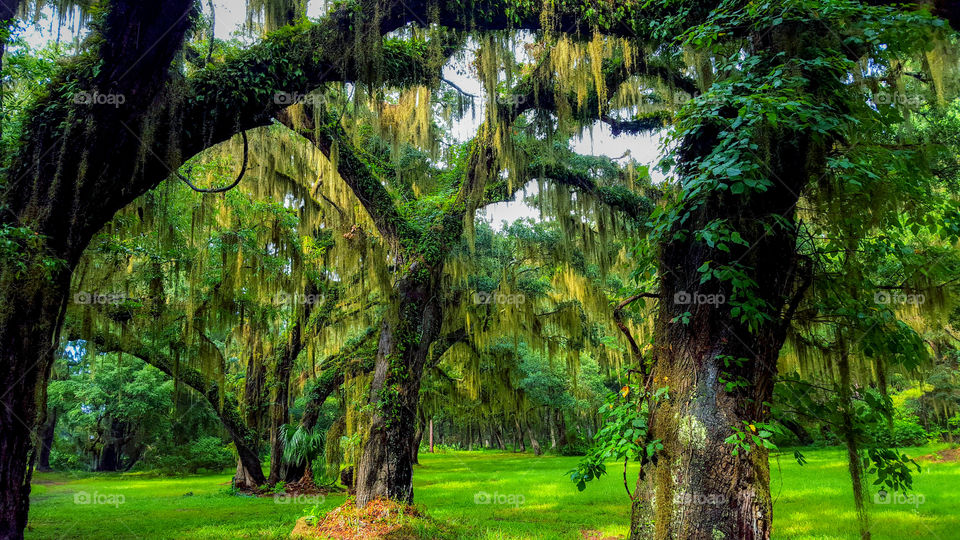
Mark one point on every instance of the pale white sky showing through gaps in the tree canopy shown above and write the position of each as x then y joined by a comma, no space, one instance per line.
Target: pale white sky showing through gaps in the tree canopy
595,140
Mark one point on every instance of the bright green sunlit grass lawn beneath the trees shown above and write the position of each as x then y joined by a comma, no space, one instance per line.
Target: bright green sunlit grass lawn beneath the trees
484,495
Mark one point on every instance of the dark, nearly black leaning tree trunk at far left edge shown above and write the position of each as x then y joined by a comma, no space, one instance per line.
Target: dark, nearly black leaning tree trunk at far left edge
64,206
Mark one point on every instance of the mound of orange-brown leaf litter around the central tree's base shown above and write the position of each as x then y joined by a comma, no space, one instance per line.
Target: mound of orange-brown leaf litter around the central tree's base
380,518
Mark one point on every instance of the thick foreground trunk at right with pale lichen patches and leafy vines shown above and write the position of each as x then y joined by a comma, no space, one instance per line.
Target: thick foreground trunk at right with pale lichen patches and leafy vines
719,368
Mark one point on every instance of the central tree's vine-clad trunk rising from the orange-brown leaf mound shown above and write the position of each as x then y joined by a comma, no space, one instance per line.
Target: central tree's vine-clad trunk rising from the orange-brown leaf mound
386,466
